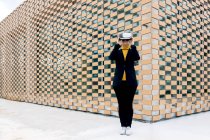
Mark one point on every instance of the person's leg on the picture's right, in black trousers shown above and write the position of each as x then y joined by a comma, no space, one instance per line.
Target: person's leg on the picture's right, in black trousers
131,94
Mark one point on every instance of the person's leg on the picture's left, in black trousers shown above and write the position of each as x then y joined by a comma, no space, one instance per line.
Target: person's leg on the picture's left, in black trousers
121,98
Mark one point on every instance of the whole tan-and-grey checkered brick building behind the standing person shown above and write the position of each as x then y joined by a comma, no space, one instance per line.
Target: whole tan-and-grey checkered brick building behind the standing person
56,52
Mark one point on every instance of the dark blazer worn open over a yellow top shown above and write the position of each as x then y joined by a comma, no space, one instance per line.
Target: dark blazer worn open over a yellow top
127,65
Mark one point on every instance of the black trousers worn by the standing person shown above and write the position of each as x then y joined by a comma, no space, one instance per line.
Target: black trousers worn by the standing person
125,95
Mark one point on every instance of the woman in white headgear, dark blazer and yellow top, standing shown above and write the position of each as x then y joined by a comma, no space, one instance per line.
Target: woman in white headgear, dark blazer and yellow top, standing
125,83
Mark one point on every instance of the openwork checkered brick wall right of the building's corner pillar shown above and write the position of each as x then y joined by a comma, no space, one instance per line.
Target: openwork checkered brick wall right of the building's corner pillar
184,52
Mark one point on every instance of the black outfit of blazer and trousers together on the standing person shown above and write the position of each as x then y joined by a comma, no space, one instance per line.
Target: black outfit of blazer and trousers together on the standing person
125,90
